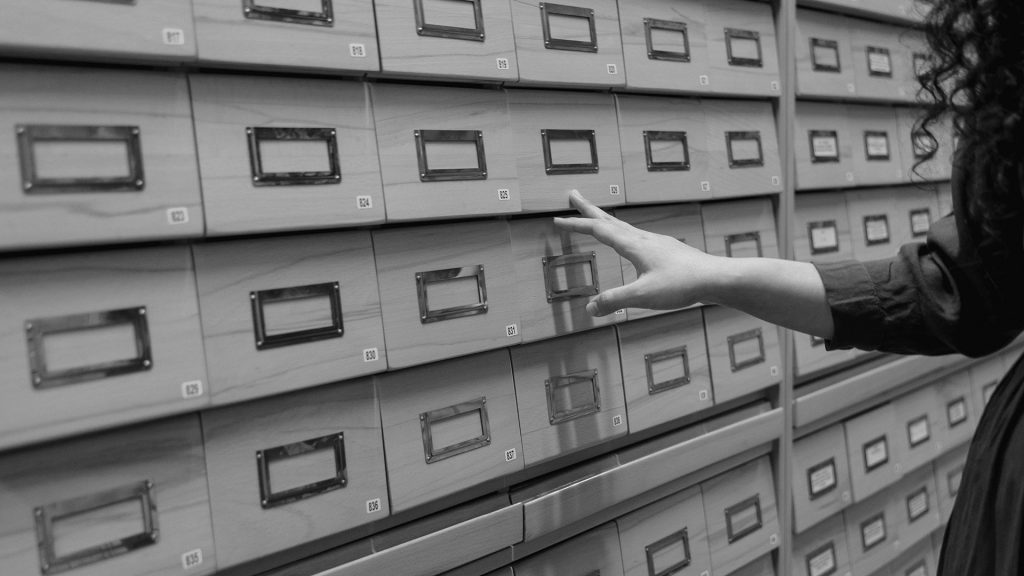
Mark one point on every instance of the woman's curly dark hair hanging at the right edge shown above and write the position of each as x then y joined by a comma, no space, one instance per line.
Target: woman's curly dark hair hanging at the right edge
975,77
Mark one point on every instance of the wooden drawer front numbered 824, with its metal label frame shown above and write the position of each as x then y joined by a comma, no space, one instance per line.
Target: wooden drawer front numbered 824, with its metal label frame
285,154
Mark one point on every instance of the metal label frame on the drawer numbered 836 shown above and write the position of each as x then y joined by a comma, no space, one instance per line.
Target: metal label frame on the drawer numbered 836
265,459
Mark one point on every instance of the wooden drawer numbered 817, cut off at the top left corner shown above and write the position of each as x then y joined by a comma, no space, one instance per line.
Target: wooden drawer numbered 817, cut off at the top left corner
152,31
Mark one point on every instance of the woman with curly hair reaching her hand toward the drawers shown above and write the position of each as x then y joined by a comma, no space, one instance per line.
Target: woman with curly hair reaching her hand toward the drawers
960,292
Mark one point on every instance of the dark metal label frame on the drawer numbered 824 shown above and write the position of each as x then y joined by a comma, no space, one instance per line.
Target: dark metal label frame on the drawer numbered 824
261,178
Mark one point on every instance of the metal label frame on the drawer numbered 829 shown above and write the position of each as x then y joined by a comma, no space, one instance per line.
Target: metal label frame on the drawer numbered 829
39,330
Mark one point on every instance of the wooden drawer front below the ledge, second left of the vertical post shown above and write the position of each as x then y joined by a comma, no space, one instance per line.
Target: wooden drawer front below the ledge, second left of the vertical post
667,538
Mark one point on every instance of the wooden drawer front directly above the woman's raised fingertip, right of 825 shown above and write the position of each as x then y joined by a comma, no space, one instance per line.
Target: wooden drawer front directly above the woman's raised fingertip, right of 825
567,141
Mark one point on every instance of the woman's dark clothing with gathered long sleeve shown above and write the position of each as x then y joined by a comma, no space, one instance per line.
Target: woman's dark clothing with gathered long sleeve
951,295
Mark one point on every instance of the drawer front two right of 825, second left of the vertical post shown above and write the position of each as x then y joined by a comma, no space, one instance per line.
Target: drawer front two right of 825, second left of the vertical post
665,149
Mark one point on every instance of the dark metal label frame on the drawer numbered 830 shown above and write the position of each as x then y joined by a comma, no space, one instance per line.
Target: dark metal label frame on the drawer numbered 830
261,300
